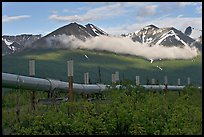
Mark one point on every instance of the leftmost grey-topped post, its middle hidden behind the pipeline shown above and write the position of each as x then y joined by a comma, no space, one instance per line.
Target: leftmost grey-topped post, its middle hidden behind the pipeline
32,73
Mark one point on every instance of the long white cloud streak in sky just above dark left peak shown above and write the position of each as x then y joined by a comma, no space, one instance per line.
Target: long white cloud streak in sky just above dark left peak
93,14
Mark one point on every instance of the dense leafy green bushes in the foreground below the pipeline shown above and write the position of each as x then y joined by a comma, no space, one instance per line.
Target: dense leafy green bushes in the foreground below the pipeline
130,111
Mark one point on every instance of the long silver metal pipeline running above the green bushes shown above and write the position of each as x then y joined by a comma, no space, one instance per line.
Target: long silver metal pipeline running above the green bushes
39,84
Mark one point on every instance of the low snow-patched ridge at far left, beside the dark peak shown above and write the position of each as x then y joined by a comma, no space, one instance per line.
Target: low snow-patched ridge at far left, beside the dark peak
11,44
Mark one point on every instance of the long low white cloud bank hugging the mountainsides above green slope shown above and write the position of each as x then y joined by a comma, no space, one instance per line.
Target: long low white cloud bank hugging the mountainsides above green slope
122,45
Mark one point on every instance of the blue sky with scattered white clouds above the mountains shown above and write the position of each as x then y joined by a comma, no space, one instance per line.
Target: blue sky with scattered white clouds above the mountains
113,17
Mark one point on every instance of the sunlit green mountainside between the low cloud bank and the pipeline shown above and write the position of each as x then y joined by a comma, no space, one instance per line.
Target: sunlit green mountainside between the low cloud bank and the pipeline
51,63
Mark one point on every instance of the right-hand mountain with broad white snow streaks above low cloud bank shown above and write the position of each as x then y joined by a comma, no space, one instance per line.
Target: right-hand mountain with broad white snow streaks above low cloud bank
152,35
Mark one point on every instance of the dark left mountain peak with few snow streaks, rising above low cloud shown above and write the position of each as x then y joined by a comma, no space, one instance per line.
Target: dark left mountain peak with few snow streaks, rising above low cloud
73,29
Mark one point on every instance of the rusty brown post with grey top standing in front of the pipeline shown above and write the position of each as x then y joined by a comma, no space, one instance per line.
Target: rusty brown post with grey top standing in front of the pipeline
70,78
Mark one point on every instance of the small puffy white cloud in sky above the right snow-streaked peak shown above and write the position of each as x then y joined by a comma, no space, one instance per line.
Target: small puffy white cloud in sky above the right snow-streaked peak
148,10
